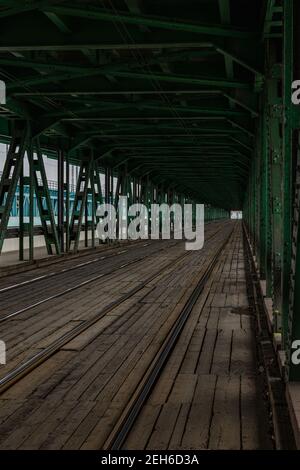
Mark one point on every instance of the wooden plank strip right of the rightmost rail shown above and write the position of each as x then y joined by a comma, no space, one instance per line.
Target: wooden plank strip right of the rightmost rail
210,394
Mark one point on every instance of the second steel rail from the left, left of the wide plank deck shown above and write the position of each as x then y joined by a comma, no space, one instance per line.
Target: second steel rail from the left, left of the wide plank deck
86,282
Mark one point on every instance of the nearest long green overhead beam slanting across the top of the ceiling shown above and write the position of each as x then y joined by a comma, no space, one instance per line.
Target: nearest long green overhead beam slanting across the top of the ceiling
151,21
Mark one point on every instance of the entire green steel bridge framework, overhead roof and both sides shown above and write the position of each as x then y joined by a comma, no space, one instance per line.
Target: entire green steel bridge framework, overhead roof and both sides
180,100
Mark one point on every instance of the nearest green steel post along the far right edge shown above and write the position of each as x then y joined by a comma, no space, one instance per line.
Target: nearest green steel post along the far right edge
291,259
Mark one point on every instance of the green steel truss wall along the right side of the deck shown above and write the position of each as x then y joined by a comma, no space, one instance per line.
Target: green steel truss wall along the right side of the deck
271,208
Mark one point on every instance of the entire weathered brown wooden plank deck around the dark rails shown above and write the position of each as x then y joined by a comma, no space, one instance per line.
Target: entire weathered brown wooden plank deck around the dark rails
74,399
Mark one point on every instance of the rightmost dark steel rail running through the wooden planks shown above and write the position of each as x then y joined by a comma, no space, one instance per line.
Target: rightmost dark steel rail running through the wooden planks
132,411
